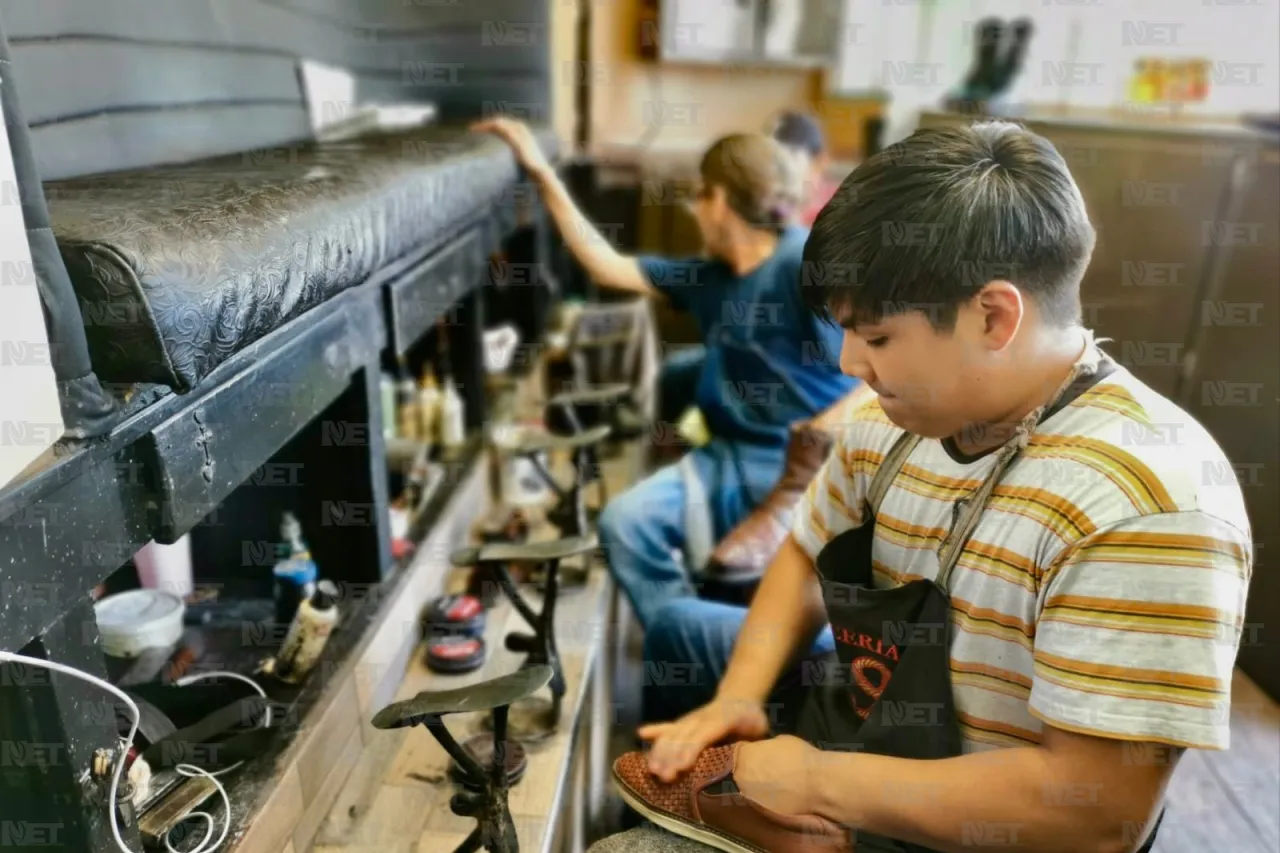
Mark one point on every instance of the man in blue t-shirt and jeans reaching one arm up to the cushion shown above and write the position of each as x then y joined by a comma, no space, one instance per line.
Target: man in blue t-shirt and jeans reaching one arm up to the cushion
770,362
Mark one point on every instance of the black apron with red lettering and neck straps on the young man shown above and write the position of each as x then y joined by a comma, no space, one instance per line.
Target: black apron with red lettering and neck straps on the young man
889,691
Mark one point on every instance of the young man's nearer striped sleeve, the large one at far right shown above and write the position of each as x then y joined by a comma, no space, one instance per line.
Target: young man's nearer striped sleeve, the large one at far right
1139,631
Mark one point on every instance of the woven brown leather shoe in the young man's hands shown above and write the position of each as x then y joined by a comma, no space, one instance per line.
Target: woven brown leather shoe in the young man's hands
697,808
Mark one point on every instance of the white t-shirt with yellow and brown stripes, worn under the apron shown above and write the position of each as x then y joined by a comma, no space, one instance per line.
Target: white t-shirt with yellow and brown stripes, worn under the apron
1103,591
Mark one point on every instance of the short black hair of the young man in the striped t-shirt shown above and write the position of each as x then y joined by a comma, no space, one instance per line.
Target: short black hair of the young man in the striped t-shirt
929,221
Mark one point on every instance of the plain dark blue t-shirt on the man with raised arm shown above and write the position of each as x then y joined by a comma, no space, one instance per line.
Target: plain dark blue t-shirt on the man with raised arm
770,362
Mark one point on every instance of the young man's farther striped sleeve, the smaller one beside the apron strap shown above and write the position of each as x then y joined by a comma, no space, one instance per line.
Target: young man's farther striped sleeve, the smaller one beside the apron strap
834,501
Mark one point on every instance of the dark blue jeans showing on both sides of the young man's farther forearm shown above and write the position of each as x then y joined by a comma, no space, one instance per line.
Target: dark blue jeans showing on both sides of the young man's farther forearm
687,650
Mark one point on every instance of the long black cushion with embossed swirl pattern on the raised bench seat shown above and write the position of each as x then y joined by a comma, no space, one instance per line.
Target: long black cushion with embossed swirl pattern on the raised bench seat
177,268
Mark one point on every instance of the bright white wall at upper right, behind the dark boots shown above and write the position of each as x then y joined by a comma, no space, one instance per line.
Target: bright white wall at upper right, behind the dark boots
1081,58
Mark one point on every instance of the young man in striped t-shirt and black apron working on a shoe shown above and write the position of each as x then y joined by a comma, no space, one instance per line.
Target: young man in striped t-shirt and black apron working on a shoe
1036,600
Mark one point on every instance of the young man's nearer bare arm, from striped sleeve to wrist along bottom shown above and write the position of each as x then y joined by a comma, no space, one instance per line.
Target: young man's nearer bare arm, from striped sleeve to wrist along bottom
1075,793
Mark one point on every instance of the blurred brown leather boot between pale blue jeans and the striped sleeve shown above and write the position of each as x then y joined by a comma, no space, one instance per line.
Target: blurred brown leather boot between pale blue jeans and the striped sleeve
743,556
